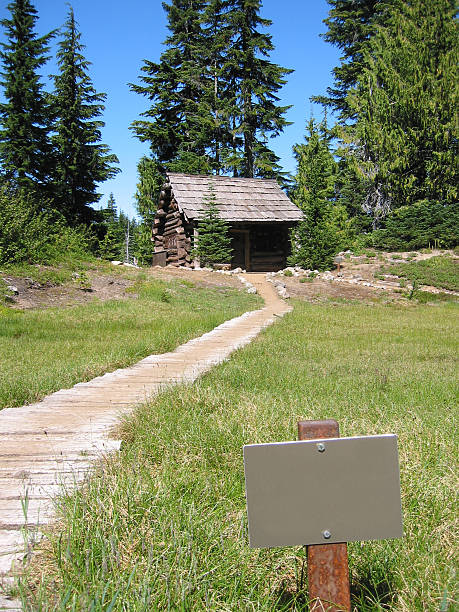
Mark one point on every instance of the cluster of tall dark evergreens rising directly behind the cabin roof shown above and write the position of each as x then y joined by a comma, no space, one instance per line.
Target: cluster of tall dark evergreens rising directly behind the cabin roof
213,92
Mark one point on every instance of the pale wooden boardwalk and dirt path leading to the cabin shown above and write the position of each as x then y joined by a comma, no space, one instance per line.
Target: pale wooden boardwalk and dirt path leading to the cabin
51,444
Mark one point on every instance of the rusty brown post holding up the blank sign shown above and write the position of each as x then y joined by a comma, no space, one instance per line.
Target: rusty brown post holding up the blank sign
328,570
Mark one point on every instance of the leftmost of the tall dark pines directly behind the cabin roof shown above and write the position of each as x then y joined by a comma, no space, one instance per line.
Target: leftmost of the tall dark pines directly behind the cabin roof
173,126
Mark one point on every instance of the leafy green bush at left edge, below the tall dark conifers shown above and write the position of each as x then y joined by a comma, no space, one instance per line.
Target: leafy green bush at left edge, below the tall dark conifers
28,233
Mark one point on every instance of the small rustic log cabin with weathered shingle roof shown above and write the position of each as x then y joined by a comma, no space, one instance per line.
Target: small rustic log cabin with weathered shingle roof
258,212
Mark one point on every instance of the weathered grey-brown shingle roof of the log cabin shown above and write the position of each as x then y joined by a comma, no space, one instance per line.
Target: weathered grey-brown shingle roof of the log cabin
238,199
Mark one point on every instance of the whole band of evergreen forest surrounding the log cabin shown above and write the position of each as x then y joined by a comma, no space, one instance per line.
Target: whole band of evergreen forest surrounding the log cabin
380,170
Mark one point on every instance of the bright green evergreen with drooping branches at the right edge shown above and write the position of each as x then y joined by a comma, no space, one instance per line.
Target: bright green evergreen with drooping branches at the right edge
404,141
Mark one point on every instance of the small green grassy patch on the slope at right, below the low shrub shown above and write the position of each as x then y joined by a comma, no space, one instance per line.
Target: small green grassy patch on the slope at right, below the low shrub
441,271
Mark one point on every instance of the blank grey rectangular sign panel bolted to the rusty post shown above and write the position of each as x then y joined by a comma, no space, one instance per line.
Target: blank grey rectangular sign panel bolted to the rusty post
323,491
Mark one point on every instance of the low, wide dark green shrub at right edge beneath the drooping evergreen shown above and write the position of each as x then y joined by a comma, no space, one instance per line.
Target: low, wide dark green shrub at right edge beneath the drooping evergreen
423,224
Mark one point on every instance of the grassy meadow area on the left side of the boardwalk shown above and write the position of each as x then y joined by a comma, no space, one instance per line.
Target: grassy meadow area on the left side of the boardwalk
48,349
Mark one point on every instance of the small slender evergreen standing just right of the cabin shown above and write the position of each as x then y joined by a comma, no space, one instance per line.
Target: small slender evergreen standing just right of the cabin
315,240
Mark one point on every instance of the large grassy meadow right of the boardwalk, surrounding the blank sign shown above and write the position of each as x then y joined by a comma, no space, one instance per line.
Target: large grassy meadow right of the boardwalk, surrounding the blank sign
162,526
